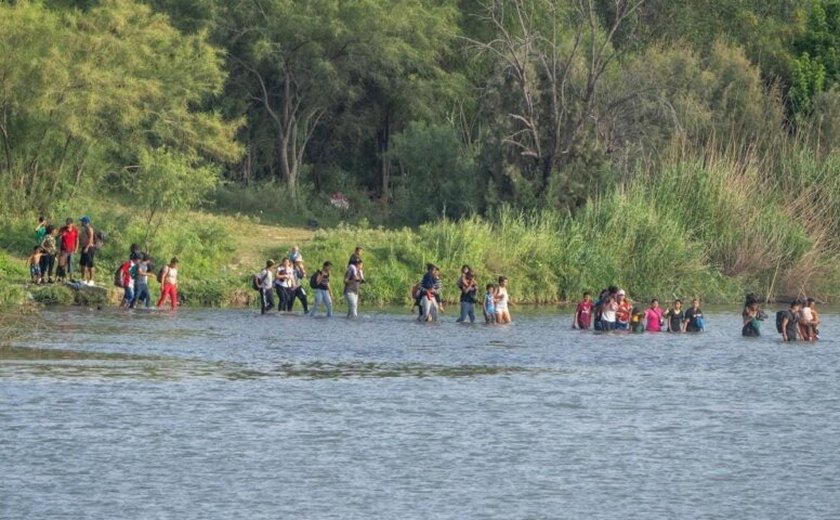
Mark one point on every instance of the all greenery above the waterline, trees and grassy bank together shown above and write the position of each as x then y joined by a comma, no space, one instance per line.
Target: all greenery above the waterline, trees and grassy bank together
669,148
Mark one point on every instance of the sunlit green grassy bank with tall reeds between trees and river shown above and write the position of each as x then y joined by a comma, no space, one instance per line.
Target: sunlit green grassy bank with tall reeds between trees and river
712,227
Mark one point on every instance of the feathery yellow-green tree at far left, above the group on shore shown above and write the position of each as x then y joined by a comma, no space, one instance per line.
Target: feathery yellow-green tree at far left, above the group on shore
83,93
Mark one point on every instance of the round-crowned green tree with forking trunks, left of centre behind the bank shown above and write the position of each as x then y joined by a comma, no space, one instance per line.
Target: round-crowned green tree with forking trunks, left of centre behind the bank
358,65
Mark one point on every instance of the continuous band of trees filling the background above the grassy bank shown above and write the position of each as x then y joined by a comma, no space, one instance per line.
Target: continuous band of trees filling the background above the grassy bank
417,108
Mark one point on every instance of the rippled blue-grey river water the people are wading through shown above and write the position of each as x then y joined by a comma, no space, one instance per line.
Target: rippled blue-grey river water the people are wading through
226,414
